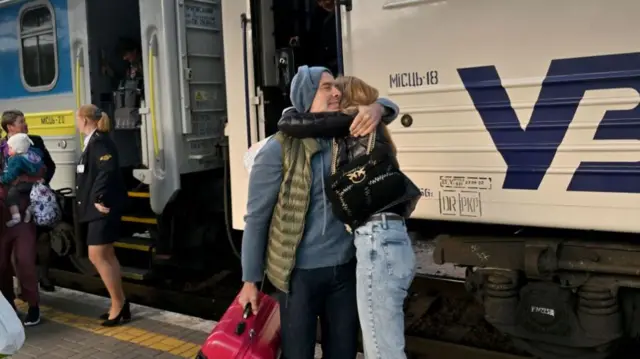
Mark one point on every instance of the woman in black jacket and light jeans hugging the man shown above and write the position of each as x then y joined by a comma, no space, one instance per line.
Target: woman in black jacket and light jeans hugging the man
386,261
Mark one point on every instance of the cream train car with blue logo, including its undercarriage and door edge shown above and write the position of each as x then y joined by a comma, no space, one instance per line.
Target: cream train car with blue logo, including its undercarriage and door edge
520,123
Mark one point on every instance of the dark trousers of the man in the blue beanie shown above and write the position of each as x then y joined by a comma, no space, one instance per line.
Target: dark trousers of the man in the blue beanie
330,294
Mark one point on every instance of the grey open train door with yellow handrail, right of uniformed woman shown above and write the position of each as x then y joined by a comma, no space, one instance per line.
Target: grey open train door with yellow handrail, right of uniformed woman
162,128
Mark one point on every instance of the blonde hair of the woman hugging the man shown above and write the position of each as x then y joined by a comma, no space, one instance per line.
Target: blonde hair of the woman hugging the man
356,92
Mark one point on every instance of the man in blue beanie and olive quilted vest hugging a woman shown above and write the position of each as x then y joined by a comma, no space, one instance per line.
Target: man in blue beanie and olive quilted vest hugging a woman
291,235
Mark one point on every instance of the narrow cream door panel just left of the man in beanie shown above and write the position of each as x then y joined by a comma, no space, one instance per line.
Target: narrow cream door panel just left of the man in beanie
242,126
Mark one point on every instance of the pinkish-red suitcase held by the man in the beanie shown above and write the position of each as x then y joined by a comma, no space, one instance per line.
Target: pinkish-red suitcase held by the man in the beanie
242,335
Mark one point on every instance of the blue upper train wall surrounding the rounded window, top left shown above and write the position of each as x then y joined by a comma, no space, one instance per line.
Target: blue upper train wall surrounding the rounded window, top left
10,81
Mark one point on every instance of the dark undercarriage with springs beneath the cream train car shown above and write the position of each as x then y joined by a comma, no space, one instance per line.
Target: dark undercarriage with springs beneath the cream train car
556,298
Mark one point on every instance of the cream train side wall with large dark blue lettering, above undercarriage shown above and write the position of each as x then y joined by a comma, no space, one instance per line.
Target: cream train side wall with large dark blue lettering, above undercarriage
512,112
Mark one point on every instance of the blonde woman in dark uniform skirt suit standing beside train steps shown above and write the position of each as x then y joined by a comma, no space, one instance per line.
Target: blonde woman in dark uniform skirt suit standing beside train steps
100,195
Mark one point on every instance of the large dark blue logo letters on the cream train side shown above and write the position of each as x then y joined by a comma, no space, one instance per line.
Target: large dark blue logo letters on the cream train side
565,85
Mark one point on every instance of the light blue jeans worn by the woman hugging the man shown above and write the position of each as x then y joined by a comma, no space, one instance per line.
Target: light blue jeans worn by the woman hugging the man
385,269
